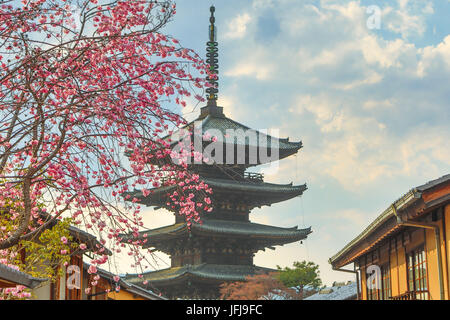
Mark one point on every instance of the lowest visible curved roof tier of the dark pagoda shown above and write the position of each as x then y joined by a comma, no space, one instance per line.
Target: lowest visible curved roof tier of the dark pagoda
202,271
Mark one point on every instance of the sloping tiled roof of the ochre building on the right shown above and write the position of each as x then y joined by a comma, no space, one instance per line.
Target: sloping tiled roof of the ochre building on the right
405,201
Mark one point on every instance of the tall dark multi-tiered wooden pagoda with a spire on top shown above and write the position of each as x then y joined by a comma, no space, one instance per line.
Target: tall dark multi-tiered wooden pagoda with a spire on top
220,248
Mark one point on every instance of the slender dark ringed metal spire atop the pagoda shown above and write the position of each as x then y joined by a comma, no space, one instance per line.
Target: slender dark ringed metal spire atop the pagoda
212,54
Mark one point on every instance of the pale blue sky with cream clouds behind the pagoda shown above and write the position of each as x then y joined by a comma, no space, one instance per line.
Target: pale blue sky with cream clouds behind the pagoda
369,101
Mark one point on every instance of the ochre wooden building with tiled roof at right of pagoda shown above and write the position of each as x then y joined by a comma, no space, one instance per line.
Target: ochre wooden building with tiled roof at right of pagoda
404,253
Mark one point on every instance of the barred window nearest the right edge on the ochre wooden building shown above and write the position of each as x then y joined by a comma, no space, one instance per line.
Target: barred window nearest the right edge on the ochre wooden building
417,273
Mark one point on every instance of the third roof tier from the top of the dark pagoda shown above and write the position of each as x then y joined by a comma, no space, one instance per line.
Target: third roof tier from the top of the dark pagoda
225,228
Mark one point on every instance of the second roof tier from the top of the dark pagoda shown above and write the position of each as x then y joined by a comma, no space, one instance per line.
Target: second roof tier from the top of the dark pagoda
268,192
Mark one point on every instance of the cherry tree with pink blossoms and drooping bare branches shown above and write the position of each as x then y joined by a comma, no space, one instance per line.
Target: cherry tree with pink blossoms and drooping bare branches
82,83
